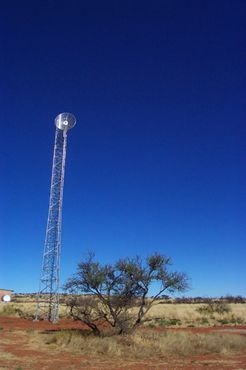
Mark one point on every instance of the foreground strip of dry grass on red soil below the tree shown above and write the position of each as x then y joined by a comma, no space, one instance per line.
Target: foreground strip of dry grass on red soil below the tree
147,345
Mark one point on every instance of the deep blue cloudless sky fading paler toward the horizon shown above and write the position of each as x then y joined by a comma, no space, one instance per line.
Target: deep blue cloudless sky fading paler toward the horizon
156,161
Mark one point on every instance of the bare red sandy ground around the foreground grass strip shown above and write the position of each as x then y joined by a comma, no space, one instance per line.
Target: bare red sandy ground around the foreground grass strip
17,353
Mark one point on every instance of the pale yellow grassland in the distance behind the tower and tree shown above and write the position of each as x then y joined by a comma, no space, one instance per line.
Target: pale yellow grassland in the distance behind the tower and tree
161,314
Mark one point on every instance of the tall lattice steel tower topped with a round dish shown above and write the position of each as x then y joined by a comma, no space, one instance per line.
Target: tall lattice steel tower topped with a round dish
48,296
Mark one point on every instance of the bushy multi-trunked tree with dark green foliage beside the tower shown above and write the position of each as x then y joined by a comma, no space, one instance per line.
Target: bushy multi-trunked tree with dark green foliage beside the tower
118,294
